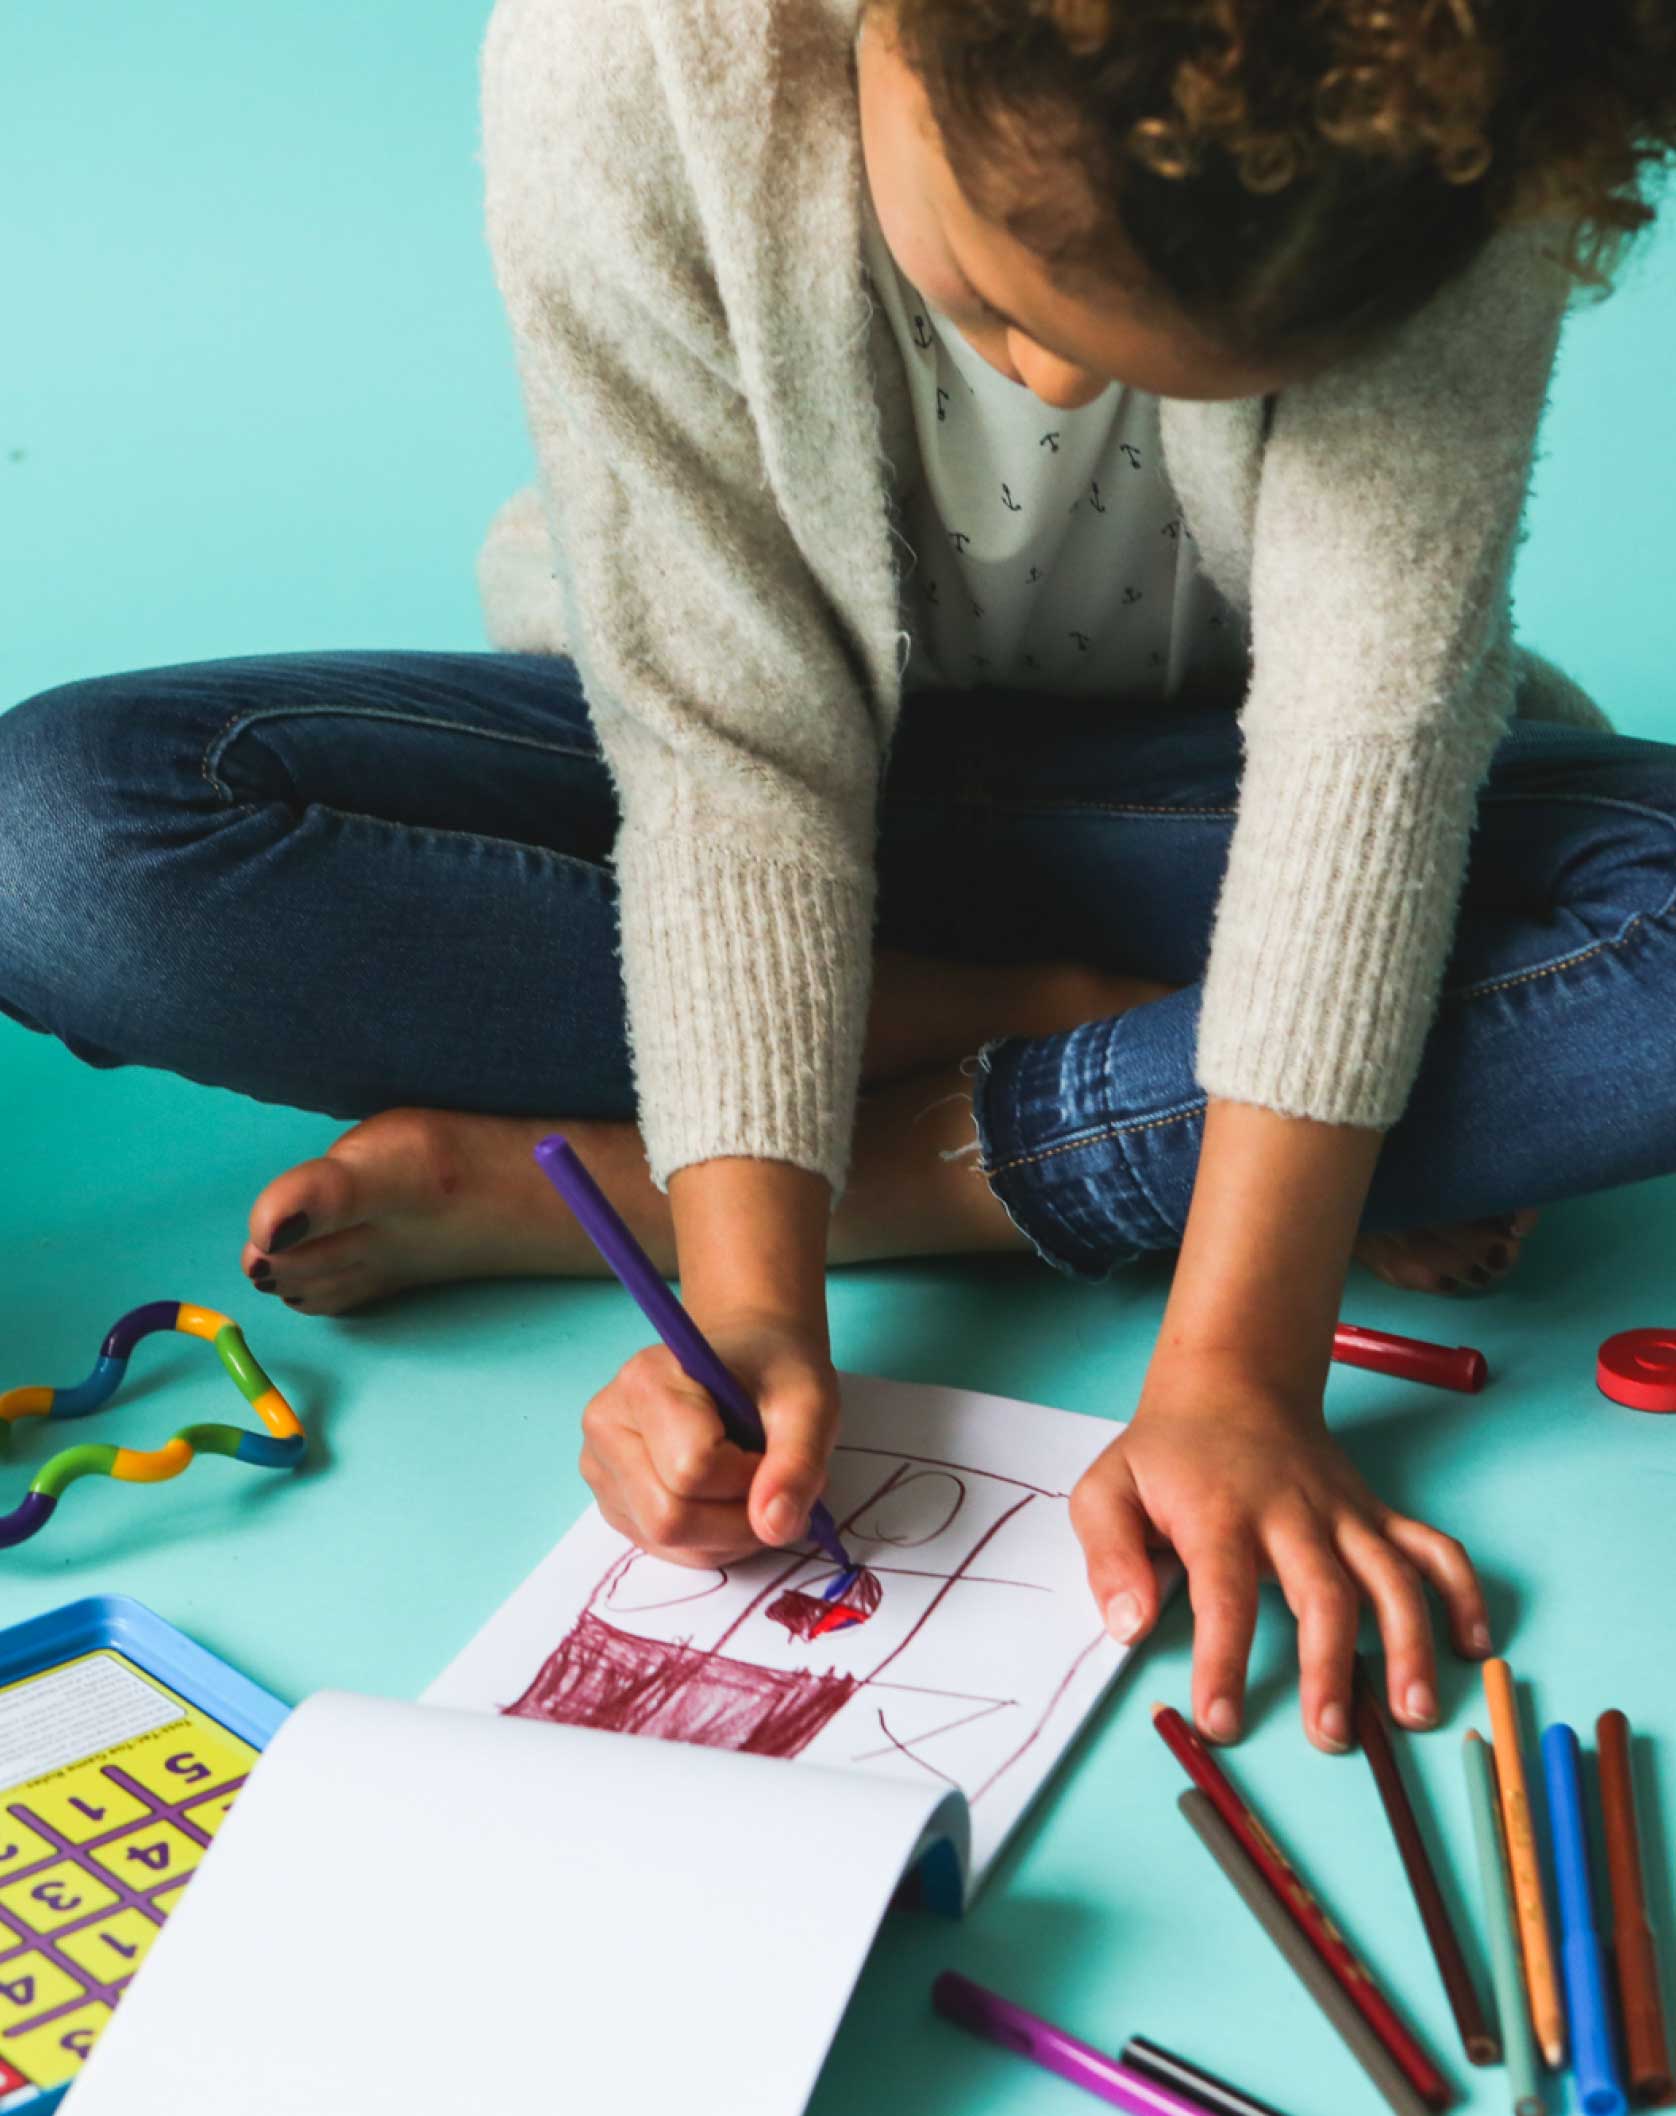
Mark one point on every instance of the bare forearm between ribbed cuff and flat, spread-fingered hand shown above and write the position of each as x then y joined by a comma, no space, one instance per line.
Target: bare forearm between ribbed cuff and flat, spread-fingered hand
1269,1241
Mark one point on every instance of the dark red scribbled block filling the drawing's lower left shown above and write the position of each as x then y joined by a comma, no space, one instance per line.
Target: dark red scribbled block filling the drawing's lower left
600,1677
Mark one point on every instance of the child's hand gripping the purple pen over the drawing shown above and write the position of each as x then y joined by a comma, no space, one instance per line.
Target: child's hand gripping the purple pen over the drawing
668,1478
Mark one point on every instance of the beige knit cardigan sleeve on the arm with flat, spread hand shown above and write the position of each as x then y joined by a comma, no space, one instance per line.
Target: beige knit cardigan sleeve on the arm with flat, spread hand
1383,676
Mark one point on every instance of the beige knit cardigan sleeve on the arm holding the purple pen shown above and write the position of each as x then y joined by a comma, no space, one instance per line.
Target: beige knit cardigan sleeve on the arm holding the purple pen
742,737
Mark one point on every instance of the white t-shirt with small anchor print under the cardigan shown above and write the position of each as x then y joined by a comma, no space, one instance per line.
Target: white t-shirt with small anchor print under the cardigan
1049,547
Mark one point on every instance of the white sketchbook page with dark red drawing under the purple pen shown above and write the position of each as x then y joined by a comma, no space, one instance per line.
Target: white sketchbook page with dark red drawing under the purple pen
977,1671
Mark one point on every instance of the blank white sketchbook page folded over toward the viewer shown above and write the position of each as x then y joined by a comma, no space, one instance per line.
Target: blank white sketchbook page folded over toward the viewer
431,1912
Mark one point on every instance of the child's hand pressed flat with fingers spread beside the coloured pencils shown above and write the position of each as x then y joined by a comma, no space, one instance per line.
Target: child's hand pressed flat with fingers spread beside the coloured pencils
1247,1484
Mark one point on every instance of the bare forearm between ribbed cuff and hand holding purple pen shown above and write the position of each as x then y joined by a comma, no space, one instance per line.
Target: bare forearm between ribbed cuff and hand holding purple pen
752,1241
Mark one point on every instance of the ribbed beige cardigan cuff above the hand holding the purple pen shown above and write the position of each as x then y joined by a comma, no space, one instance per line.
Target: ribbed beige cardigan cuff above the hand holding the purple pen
748,996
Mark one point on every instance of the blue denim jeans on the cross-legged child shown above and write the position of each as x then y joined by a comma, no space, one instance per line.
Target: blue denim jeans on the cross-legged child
352,881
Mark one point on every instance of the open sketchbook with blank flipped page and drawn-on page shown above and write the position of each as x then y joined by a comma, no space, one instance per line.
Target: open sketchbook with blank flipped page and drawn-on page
642,1808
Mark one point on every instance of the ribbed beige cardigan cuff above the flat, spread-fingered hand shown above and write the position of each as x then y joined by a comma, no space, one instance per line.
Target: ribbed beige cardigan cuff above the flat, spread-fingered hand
1336,919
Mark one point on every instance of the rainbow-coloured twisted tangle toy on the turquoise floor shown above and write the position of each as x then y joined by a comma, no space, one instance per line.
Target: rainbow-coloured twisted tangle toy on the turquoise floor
283,1446
